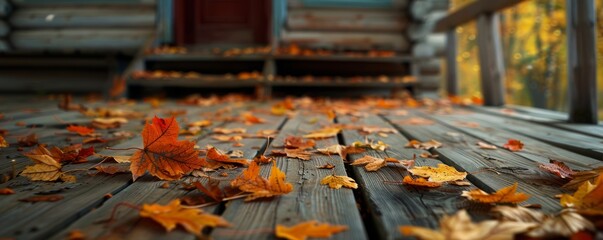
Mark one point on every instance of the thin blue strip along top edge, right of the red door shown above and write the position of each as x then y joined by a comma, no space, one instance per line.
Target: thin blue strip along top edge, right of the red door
393,4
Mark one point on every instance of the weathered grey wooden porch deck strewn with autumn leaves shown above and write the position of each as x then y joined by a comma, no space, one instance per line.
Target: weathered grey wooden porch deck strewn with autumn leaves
375,210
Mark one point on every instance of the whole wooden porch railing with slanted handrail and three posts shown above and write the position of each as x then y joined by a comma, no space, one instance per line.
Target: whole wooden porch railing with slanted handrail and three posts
582,82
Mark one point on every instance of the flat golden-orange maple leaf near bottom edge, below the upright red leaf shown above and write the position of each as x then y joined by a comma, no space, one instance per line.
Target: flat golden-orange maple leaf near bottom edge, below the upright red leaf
192,219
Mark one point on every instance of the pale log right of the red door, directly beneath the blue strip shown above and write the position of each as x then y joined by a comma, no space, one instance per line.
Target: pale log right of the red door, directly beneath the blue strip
346,19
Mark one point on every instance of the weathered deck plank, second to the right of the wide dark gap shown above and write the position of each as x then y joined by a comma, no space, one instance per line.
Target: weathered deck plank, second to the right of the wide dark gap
489,170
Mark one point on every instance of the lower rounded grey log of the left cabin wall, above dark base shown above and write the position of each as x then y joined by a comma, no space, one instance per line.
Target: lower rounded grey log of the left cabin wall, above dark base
80,39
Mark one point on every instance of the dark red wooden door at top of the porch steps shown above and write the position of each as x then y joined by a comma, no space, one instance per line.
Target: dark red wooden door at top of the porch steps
221,22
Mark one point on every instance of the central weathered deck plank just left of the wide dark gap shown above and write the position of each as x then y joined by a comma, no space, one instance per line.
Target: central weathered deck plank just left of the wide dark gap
309,200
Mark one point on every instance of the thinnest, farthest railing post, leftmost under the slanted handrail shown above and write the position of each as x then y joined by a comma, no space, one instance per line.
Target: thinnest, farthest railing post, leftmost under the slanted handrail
452,85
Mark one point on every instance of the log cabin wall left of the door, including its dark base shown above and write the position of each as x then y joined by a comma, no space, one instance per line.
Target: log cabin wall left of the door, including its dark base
78,45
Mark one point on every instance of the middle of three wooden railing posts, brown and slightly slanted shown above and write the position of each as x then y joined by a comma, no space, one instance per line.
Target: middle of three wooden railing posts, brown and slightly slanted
491,59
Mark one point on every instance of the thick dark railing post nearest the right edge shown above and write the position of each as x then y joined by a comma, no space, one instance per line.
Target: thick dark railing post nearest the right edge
582,61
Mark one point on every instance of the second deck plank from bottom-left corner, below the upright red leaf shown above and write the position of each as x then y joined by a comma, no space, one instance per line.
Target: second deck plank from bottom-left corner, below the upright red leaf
147,190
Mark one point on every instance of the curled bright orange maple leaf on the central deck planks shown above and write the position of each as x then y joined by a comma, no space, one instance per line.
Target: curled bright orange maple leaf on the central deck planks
251,181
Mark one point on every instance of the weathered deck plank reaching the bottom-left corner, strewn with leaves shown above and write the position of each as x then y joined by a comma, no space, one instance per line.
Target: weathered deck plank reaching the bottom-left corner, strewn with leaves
48,218
